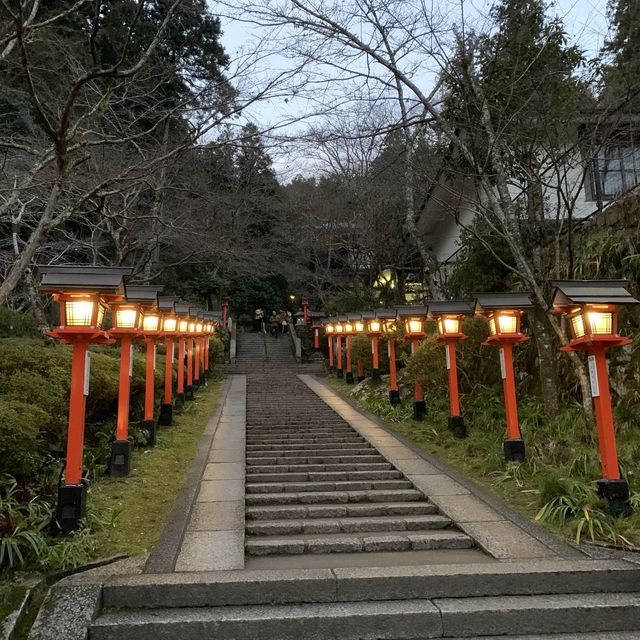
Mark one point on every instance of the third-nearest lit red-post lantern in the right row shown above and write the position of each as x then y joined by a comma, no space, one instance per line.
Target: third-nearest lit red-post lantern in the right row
449,315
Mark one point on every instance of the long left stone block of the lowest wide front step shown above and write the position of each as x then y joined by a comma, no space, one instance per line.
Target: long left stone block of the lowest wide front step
357,621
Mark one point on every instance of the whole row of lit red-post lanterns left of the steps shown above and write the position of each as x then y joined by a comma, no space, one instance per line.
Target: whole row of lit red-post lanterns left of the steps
138,313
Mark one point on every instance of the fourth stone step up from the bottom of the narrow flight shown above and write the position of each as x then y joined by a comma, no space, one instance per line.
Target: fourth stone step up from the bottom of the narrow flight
334,497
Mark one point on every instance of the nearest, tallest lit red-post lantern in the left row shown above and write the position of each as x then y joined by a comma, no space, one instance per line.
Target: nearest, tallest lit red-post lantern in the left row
83,294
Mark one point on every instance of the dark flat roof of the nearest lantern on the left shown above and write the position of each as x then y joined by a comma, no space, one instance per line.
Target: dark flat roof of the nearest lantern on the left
68,277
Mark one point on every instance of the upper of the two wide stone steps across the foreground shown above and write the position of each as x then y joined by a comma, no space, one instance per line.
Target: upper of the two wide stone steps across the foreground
435,581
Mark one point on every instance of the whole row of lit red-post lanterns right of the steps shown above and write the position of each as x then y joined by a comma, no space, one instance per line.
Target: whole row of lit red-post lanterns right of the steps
591,311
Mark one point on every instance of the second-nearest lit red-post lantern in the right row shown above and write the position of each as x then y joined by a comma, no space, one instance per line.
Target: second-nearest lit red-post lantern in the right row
503,312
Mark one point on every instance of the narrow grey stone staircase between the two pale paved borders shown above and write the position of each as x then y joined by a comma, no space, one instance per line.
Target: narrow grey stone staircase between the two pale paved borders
315,486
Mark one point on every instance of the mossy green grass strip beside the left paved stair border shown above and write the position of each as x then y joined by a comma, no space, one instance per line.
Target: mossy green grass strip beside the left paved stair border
134,509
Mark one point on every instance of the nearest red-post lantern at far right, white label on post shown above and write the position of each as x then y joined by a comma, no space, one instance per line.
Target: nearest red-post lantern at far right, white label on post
591,307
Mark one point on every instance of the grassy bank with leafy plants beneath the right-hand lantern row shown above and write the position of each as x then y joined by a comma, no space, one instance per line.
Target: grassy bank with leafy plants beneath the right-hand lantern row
556,485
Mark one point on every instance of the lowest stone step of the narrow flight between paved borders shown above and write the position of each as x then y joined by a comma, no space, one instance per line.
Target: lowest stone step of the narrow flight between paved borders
357,542
